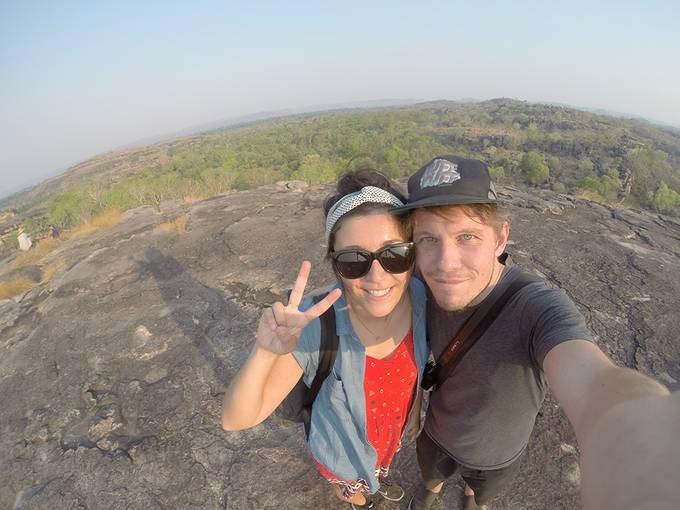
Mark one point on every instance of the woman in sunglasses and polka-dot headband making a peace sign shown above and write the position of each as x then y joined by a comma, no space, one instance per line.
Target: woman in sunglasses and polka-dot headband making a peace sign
362,409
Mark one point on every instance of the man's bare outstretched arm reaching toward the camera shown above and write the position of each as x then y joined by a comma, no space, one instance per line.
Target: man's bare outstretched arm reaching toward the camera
627,426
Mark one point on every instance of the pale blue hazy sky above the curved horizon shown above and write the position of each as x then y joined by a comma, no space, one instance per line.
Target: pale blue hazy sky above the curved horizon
80,78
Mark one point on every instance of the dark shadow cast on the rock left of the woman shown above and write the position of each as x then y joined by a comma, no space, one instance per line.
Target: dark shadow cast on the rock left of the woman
202,313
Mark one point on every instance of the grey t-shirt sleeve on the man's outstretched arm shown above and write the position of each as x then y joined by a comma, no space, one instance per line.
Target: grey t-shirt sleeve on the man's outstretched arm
553,318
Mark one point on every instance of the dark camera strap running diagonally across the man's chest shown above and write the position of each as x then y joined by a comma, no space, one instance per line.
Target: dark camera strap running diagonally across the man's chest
479,322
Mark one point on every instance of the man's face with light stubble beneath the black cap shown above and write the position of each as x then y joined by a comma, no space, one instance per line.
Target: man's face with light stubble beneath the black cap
457,255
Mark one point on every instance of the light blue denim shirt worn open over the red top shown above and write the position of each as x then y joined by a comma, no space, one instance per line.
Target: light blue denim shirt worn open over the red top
338,437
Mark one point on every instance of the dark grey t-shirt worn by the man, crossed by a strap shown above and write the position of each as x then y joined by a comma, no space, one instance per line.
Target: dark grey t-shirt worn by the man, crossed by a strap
484,413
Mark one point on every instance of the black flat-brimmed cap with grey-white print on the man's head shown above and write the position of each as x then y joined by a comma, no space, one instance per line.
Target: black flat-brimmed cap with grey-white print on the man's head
450,180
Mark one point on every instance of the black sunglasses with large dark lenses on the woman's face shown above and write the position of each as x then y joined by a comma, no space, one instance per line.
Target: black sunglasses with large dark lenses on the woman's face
354,263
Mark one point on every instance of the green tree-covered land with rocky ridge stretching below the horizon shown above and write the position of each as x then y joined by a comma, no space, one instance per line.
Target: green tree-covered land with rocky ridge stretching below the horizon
607,158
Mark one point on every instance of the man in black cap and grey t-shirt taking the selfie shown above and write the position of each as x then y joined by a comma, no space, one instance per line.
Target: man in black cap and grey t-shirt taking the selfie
480,417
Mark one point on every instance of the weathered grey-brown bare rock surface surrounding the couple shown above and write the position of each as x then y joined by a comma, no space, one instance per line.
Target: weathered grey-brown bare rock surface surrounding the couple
112,374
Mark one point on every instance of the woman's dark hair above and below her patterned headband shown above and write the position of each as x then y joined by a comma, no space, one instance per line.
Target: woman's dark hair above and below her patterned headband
353,181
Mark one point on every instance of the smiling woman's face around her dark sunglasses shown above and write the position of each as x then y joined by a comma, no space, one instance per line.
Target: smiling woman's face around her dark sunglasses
378,292
